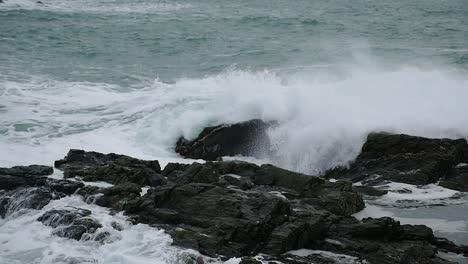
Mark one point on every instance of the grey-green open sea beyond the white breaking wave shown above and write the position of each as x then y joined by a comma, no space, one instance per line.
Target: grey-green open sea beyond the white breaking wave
124,42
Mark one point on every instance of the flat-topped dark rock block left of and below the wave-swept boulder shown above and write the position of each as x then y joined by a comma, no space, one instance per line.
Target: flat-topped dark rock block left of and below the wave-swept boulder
112,168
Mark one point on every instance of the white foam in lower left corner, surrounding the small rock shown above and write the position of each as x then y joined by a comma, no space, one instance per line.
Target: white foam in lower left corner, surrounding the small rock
25,240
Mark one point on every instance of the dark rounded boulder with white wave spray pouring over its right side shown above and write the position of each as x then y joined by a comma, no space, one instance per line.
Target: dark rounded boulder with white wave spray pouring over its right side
246,138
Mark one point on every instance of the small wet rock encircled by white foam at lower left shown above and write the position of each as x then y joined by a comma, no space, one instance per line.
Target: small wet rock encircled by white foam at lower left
72,223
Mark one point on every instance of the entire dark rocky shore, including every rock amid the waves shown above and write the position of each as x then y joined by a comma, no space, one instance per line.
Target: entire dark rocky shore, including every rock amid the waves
226,209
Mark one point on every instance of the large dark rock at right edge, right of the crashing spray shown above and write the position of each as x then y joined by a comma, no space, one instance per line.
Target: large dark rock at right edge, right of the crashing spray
404,158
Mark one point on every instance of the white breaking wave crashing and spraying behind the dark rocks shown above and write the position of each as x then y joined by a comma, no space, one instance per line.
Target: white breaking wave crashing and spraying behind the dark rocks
324,114
